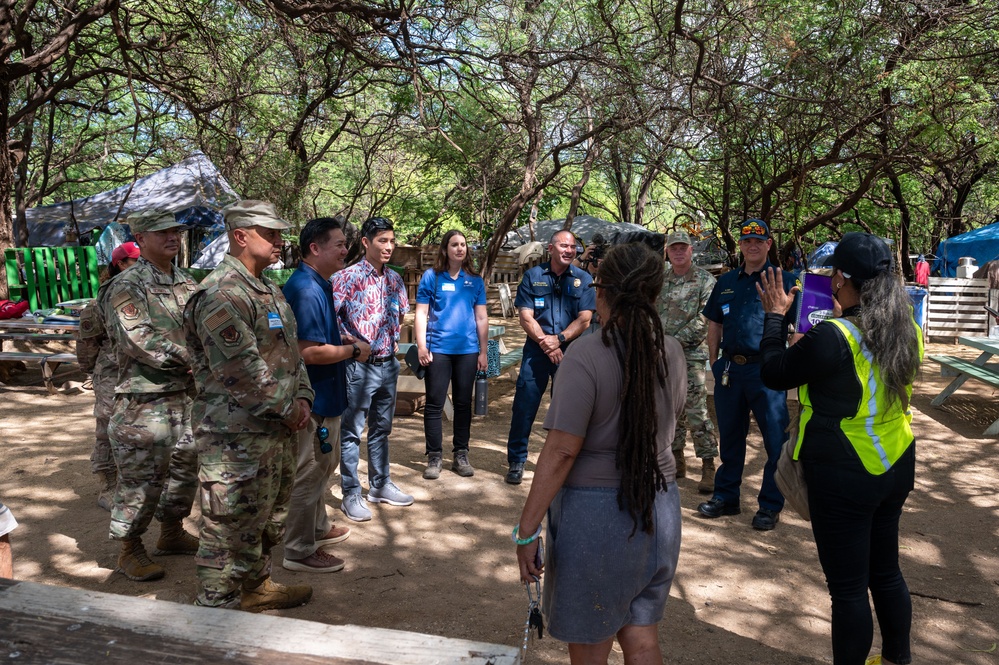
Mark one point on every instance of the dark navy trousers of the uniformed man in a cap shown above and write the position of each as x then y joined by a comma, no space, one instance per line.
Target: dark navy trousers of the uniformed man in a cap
744,393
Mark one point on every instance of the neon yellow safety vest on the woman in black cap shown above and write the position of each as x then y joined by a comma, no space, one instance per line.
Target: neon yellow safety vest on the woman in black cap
879,433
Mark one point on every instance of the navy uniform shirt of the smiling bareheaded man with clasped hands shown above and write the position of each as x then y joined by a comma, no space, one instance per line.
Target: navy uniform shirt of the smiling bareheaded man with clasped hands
556,301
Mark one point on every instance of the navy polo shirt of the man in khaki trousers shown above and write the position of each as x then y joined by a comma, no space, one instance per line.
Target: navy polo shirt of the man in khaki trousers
311,299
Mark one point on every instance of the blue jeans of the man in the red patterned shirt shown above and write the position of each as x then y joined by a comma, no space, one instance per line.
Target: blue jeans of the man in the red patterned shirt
371,400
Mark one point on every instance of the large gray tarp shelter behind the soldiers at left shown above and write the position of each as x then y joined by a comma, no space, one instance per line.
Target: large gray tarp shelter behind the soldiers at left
192,189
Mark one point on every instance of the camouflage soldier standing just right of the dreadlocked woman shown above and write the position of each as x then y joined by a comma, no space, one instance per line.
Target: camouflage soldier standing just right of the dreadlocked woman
684,293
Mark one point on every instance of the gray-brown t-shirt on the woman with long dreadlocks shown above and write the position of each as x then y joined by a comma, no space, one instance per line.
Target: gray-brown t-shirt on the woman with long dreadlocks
586,402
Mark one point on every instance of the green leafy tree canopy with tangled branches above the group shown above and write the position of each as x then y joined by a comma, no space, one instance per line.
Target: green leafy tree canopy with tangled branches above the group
480,114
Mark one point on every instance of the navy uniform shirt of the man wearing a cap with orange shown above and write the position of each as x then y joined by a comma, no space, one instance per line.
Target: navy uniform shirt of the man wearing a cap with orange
736,305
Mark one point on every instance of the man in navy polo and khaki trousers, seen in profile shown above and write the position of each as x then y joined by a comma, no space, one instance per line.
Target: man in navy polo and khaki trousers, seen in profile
308,291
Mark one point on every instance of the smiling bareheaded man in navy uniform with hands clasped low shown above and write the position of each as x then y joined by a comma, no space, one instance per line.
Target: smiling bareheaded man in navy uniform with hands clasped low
555,302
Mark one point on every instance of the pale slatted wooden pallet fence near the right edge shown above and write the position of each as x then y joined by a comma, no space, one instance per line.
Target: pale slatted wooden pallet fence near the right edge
956,307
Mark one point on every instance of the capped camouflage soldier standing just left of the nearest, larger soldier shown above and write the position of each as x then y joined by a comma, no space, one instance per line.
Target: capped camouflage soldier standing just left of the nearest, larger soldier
150,424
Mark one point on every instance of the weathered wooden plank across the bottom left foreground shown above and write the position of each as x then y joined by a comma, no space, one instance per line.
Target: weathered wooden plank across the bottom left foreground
47,624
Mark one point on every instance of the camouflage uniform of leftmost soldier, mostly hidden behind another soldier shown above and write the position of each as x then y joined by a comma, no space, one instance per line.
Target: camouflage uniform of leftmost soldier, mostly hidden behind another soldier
94,353
